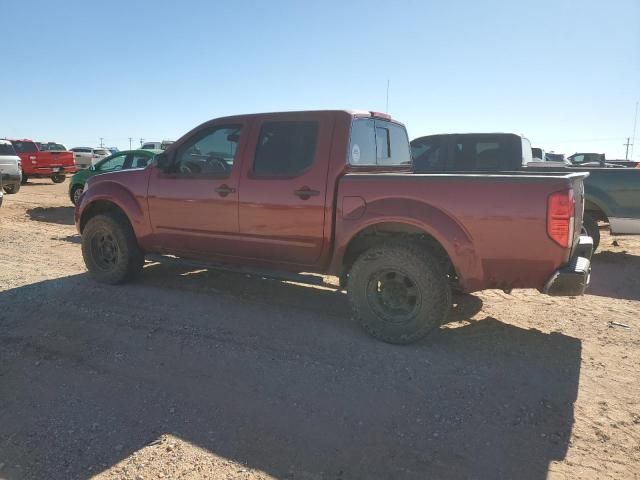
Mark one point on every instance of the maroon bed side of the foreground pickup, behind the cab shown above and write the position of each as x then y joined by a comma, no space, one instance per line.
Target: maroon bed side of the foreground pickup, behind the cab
494,224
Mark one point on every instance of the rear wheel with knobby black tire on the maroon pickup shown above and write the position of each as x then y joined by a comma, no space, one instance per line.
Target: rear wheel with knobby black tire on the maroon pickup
399,292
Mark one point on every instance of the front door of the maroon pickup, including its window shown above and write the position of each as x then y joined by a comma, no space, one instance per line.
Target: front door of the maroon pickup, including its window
193,203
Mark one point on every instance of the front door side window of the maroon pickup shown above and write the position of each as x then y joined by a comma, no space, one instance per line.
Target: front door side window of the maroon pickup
210,153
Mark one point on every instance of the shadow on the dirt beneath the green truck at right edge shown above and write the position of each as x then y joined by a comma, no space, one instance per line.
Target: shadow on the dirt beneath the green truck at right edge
615,275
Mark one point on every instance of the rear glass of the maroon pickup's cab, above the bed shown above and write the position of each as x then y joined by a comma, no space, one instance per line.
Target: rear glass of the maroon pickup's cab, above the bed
378,142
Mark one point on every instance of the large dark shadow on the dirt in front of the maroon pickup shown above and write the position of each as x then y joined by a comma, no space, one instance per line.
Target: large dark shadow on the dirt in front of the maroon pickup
273,375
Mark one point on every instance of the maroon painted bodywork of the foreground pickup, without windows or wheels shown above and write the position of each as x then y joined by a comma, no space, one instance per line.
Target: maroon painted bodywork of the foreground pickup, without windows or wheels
493,227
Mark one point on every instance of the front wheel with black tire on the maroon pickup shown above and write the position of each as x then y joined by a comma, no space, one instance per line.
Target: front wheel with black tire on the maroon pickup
110,249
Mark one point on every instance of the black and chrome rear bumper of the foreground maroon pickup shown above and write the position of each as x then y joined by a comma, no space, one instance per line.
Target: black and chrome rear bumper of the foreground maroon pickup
573,279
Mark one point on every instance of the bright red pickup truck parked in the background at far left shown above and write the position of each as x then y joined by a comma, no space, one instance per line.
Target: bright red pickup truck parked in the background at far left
38,163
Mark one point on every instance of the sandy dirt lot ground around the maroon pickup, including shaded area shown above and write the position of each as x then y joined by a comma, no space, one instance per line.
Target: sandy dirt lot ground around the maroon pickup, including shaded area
192,373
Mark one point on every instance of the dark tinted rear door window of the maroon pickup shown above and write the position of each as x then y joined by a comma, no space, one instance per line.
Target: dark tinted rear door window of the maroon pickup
285,149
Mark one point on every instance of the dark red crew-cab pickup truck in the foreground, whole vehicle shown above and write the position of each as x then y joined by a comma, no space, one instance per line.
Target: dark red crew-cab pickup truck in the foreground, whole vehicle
332,192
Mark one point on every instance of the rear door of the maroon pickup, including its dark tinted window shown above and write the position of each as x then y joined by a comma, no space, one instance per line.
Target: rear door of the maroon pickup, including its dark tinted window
282,196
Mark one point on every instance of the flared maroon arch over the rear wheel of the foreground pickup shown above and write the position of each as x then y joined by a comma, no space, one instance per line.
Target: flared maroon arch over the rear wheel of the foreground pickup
383,232
